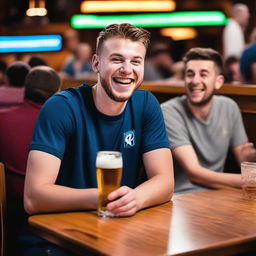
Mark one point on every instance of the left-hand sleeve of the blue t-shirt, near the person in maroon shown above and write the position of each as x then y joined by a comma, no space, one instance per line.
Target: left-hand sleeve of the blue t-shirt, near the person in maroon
53,127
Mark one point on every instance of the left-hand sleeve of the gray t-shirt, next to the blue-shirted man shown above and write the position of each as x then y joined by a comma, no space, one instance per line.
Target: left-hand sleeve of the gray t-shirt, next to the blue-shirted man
175,124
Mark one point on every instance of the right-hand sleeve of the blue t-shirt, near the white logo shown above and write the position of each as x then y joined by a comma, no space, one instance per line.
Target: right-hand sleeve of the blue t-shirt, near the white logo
154,132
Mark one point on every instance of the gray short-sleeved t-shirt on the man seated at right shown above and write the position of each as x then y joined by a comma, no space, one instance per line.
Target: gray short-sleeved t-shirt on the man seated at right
210,138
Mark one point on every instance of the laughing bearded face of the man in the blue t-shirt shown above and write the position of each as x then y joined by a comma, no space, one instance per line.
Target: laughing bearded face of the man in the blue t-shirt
120,65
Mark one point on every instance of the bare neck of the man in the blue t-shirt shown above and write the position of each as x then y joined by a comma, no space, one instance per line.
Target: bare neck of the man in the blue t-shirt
104,104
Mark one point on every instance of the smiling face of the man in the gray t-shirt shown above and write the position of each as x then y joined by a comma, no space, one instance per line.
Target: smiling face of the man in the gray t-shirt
201,79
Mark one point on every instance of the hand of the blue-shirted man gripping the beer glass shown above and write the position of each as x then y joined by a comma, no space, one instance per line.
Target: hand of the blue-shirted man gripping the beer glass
123,202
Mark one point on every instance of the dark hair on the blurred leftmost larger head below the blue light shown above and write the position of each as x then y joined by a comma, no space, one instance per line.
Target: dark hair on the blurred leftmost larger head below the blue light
16,73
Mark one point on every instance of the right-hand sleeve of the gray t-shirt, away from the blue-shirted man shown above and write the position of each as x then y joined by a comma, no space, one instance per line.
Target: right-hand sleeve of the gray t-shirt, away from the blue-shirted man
239,135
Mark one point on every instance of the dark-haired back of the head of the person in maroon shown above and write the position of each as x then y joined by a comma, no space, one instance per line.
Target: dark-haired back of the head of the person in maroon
41,83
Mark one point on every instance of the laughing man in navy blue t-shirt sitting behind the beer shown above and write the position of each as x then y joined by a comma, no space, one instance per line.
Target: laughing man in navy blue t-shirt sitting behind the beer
109,115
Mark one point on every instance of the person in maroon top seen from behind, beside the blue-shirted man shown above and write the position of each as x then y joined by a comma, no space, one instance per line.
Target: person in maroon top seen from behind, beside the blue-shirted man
16,129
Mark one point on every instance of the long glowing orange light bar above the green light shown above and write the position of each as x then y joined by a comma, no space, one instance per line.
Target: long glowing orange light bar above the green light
127,6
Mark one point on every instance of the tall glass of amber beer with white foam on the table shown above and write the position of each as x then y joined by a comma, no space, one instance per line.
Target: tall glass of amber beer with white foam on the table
109,166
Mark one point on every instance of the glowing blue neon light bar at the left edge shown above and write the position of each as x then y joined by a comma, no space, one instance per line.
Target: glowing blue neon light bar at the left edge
36,43
